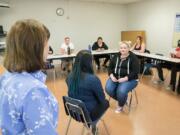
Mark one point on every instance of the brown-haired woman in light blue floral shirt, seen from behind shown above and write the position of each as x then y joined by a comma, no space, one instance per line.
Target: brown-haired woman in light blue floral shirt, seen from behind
26,104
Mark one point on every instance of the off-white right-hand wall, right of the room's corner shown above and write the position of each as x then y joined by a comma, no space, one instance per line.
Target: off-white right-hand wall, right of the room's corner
157,18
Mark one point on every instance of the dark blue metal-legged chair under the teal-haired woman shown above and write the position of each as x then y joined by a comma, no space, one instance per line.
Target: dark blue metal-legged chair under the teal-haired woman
76,109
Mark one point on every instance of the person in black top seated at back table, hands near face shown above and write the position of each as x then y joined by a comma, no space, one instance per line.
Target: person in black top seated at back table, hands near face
100,45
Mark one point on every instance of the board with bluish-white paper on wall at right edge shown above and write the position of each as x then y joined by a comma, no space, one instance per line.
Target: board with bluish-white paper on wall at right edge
177,30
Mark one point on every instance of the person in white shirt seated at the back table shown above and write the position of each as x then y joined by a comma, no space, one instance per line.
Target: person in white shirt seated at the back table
65,65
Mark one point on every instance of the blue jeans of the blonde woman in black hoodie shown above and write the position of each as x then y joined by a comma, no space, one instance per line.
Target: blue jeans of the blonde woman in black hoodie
119,91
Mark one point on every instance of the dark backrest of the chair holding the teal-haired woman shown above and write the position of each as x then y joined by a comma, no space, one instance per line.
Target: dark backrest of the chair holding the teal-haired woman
77,110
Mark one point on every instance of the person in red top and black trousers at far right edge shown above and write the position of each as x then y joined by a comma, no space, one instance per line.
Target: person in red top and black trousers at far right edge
175,54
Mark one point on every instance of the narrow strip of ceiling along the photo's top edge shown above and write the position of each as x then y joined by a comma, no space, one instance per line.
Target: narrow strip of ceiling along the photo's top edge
111,1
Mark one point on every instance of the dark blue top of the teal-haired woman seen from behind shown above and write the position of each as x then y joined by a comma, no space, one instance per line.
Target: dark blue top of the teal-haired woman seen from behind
91,93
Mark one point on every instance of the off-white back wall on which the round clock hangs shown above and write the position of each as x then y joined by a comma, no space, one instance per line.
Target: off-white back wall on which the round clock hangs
86,20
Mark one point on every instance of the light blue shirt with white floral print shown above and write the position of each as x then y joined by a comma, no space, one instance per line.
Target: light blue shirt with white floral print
26,105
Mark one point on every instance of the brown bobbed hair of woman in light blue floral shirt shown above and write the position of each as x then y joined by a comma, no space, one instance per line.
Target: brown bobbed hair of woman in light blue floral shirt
25,46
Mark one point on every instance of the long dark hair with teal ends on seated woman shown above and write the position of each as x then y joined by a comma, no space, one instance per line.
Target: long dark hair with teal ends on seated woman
82,65
